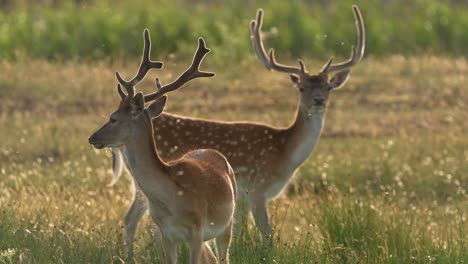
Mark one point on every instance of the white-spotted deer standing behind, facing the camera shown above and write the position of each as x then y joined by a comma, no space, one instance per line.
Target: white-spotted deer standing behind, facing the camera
264,157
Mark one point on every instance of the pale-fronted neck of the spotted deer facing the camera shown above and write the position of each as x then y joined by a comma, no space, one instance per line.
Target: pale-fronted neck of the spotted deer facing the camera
303,135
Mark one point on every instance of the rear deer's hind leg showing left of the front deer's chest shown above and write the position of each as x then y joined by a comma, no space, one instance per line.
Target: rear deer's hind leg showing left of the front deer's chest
132,218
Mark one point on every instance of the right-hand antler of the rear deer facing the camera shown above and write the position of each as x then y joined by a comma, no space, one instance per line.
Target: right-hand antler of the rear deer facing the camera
356,53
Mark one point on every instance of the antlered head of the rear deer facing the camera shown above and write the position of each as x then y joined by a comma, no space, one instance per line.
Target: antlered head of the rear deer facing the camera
314,88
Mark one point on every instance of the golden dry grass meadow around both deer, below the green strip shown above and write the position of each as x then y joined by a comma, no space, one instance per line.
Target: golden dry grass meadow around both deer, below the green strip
387,183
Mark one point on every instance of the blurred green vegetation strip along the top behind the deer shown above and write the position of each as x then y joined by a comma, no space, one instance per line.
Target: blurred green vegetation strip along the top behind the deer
94,30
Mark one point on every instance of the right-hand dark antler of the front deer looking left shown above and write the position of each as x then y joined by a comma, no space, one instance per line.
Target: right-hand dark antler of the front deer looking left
191,73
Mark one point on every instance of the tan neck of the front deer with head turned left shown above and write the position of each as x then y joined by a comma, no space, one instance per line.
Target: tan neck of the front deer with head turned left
148,169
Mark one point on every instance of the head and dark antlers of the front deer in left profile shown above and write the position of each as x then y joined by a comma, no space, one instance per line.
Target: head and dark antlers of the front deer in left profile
131,117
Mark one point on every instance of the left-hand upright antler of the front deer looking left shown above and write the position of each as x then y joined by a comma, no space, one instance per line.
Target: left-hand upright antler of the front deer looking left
146,65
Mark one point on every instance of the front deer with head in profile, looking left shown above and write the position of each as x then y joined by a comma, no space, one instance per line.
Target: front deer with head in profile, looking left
191,199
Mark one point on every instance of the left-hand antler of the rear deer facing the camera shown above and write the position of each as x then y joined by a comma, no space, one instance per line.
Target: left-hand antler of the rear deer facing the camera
269,61
